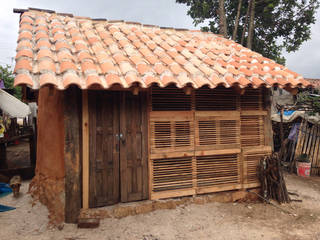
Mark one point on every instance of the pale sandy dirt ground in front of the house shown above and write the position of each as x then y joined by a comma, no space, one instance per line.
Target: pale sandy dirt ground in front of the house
208,221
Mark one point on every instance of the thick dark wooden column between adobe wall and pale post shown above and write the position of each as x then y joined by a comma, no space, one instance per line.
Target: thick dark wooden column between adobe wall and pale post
72,153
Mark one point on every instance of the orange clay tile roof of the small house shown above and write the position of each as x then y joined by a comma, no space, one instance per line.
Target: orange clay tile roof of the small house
61,49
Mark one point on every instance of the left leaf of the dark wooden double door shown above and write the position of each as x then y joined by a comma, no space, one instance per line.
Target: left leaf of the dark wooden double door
104,148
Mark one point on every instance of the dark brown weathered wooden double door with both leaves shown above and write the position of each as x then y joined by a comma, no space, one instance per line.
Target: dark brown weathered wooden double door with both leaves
118,147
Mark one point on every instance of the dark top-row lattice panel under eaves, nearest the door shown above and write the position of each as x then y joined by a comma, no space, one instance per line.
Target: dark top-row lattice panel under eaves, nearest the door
169,99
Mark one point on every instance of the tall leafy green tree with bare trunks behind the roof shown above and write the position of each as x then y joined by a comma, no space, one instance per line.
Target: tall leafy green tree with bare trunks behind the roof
265,26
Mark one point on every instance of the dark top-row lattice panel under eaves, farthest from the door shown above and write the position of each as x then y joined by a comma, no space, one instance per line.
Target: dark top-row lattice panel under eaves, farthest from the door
251,99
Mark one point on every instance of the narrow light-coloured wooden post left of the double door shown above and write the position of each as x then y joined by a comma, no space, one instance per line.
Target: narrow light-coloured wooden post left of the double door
85,151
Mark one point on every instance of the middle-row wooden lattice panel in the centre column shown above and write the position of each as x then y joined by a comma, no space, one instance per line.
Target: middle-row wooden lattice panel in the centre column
217,130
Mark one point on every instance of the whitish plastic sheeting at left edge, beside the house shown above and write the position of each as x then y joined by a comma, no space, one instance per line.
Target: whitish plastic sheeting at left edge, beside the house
13,106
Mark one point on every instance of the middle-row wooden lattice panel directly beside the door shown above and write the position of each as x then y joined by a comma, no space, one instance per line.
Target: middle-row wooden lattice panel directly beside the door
171,132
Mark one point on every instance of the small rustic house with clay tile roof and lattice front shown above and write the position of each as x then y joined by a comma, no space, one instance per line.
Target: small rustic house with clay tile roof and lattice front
129,112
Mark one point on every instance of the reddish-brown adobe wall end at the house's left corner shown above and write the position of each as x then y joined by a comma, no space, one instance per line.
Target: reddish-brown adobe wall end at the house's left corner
48,184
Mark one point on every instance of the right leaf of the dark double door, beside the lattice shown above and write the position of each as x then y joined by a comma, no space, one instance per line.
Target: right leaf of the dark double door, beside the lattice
133,147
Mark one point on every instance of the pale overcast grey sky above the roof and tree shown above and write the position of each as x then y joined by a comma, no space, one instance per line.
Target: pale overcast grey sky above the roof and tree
168,13
